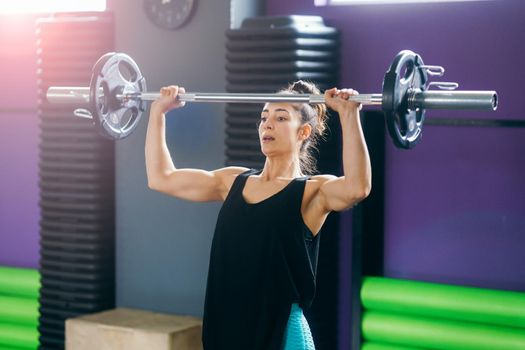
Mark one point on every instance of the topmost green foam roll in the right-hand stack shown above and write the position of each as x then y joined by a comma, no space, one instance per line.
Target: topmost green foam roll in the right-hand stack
444,301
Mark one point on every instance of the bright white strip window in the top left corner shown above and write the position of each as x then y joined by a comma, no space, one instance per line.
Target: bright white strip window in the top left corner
49,6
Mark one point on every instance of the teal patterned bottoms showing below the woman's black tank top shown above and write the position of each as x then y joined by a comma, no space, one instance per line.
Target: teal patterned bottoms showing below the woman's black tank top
297,335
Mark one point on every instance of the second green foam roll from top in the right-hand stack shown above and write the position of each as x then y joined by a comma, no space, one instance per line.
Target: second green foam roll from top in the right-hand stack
439,334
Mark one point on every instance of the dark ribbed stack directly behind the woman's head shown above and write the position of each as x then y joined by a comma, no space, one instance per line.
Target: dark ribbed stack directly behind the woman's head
265,55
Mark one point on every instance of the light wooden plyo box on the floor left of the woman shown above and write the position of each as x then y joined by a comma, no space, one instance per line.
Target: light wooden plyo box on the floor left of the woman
133,330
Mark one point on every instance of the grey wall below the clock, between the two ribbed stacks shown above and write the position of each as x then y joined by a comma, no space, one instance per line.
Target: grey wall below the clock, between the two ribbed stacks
163,243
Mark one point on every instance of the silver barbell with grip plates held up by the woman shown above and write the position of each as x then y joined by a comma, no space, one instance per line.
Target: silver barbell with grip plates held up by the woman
117,94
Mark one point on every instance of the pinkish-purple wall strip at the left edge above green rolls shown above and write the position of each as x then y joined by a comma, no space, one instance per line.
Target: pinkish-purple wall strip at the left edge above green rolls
19,212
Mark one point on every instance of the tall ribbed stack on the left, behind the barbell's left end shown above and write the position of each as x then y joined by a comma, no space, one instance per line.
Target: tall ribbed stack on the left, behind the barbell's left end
76,171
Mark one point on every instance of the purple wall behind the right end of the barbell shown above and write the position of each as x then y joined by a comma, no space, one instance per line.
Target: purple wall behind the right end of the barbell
455,205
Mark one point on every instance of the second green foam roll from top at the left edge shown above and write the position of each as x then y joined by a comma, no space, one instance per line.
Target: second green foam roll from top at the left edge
16,310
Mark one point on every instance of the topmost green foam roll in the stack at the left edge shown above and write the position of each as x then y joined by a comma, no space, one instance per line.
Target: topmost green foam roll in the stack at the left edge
19,282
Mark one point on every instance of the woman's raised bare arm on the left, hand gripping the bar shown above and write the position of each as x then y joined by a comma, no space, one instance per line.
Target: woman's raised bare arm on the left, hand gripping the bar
163,176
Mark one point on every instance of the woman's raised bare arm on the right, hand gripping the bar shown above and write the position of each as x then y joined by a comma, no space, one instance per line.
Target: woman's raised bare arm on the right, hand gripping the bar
340,193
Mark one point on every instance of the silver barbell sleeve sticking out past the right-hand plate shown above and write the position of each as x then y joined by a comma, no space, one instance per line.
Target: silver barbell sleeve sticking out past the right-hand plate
484,100
